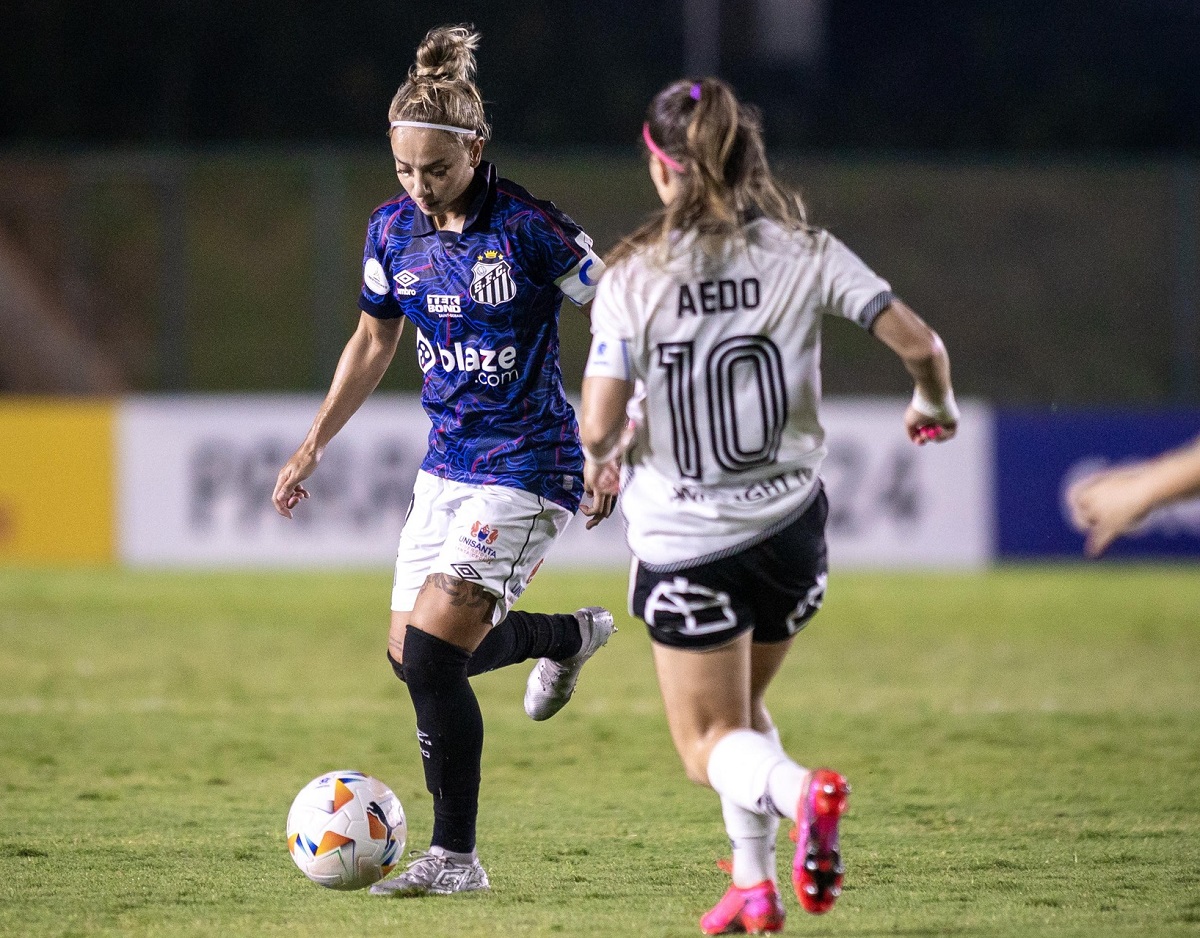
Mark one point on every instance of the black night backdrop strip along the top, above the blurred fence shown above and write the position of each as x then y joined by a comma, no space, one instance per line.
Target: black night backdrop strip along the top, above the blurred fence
969,76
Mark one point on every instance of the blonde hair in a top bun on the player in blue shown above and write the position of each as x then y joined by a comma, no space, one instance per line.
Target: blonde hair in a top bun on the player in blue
441,87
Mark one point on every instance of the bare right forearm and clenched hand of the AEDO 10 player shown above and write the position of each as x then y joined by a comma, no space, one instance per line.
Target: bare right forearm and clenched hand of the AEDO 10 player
933,416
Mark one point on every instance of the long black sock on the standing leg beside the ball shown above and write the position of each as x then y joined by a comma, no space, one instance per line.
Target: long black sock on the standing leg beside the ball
451,732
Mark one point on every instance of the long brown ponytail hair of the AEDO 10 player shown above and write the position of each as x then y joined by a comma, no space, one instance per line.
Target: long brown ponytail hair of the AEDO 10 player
725,182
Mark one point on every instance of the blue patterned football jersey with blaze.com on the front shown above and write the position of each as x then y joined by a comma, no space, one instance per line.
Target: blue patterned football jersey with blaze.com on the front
485,306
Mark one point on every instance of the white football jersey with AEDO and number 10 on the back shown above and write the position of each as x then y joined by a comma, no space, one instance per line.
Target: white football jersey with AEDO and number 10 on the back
727,359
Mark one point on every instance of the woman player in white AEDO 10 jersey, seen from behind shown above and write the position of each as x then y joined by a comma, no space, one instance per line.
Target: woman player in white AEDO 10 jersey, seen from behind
701,400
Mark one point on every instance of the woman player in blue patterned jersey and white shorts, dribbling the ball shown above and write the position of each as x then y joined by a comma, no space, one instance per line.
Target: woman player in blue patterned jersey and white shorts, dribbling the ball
479,268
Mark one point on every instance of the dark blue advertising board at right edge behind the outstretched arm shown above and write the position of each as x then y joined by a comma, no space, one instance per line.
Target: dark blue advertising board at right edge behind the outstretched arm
1039,455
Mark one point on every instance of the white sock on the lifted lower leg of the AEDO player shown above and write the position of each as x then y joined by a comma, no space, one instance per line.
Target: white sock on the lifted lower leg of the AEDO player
752,772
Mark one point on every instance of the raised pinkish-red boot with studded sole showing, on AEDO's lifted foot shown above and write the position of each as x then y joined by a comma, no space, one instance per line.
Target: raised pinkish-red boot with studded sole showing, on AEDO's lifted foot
818,870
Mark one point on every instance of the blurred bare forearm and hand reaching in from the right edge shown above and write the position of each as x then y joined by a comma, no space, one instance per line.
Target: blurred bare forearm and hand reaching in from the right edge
1114,502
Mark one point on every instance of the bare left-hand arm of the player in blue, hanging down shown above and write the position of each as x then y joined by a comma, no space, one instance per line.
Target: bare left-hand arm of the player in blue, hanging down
363,365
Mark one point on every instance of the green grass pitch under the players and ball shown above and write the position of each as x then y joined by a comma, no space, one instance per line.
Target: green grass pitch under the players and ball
1024,748
